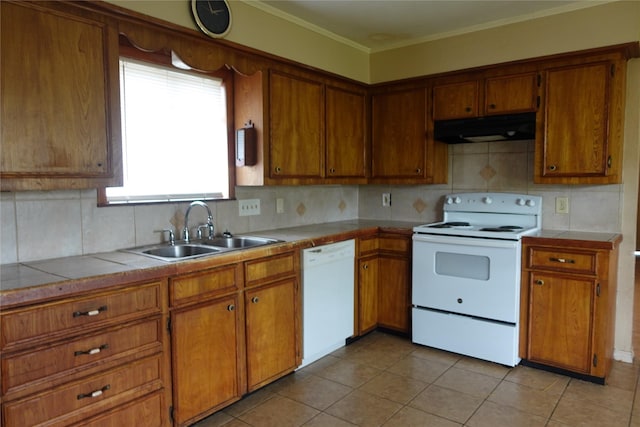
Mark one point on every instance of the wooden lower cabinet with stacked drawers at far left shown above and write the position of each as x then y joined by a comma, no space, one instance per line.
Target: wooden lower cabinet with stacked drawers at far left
95,359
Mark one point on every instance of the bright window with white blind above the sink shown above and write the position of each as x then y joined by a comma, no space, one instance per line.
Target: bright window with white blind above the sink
174,135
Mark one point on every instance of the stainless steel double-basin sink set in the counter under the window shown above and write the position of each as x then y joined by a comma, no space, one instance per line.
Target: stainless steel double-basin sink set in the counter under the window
200,248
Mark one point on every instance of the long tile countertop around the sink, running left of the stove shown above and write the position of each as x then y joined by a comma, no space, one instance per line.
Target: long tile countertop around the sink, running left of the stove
30,282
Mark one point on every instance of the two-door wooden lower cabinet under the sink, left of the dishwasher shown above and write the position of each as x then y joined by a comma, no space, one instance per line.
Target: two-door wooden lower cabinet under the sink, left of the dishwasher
234,329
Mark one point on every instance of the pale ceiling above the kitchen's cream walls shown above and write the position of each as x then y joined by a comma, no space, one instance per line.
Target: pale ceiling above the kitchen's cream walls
375,25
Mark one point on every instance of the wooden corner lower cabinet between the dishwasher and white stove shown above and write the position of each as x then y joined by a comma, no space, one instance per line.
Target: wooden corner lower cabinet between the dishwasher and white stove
384,282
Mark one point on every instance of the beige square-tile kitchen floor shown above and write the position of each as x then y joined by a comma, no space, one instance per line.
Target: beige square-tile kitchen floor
384,380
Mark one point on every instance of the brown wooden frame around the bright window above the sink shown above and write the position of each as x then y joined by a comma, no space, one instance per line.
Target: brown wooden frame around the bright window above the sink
163,57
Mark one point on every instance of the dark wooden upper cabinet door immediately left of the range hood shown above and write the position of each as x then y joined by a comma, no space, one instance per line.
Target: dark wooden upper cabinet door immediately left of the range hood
399,135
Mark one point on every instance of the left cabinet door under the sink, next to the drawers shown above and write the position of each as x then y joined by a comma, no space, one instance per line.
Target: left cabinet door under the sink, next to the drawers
205,358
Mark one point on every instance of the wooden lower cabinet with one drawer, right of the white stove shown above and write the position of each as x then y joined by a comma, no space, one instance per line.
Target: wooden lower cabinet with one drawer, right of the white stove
568,305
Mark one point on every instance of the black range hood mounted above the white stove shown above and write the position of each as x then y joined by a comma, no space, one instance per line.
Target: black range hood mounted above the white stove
512,127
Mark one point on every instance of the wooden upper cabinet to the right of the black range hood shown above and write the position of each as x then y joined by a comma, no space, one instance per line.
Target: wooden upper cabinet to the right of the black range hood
580,128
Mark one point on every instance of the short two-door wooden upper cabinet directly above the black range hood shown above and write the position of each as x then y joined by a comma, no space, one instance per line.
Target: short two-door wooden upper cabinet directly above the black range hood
483,97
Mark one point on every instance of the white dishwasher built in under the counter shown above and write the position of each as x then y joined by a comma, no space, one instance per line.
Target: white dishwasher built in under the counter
328,294
